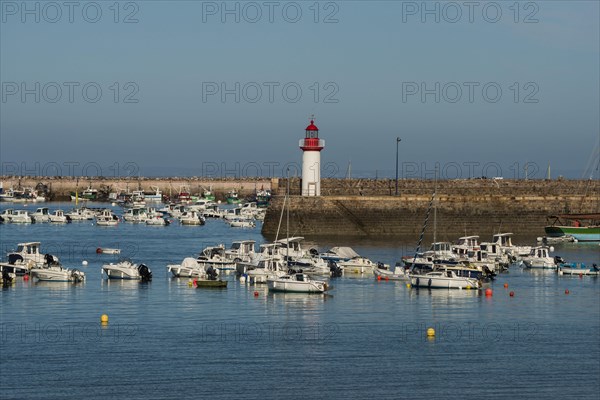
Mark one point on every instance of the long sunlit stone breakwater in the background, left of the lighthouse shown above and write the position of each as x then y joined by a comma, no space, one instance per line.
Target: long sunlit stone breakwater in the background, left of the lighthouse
61,187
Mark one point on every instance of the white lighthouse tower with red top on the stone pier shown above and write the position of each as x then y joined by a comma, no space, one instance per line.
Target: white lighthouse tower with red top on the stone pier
311,146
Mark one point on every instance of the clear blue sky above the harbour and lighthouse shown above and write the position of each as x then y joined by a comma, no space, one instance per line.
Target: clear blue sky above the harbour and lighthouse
361,67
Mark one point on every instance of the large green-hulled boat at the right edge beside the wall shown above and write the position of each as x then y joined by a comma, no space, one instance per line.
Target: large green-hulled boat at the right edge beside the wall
572,225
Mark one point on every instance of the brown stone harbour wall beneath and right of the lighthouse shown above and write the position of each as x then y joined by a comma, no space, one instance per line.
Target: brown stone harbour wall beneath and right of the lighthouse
365,208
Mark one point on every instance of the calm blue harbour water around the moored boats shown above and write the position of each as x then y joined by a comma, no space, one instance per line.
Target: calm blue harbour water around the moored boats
366,339
